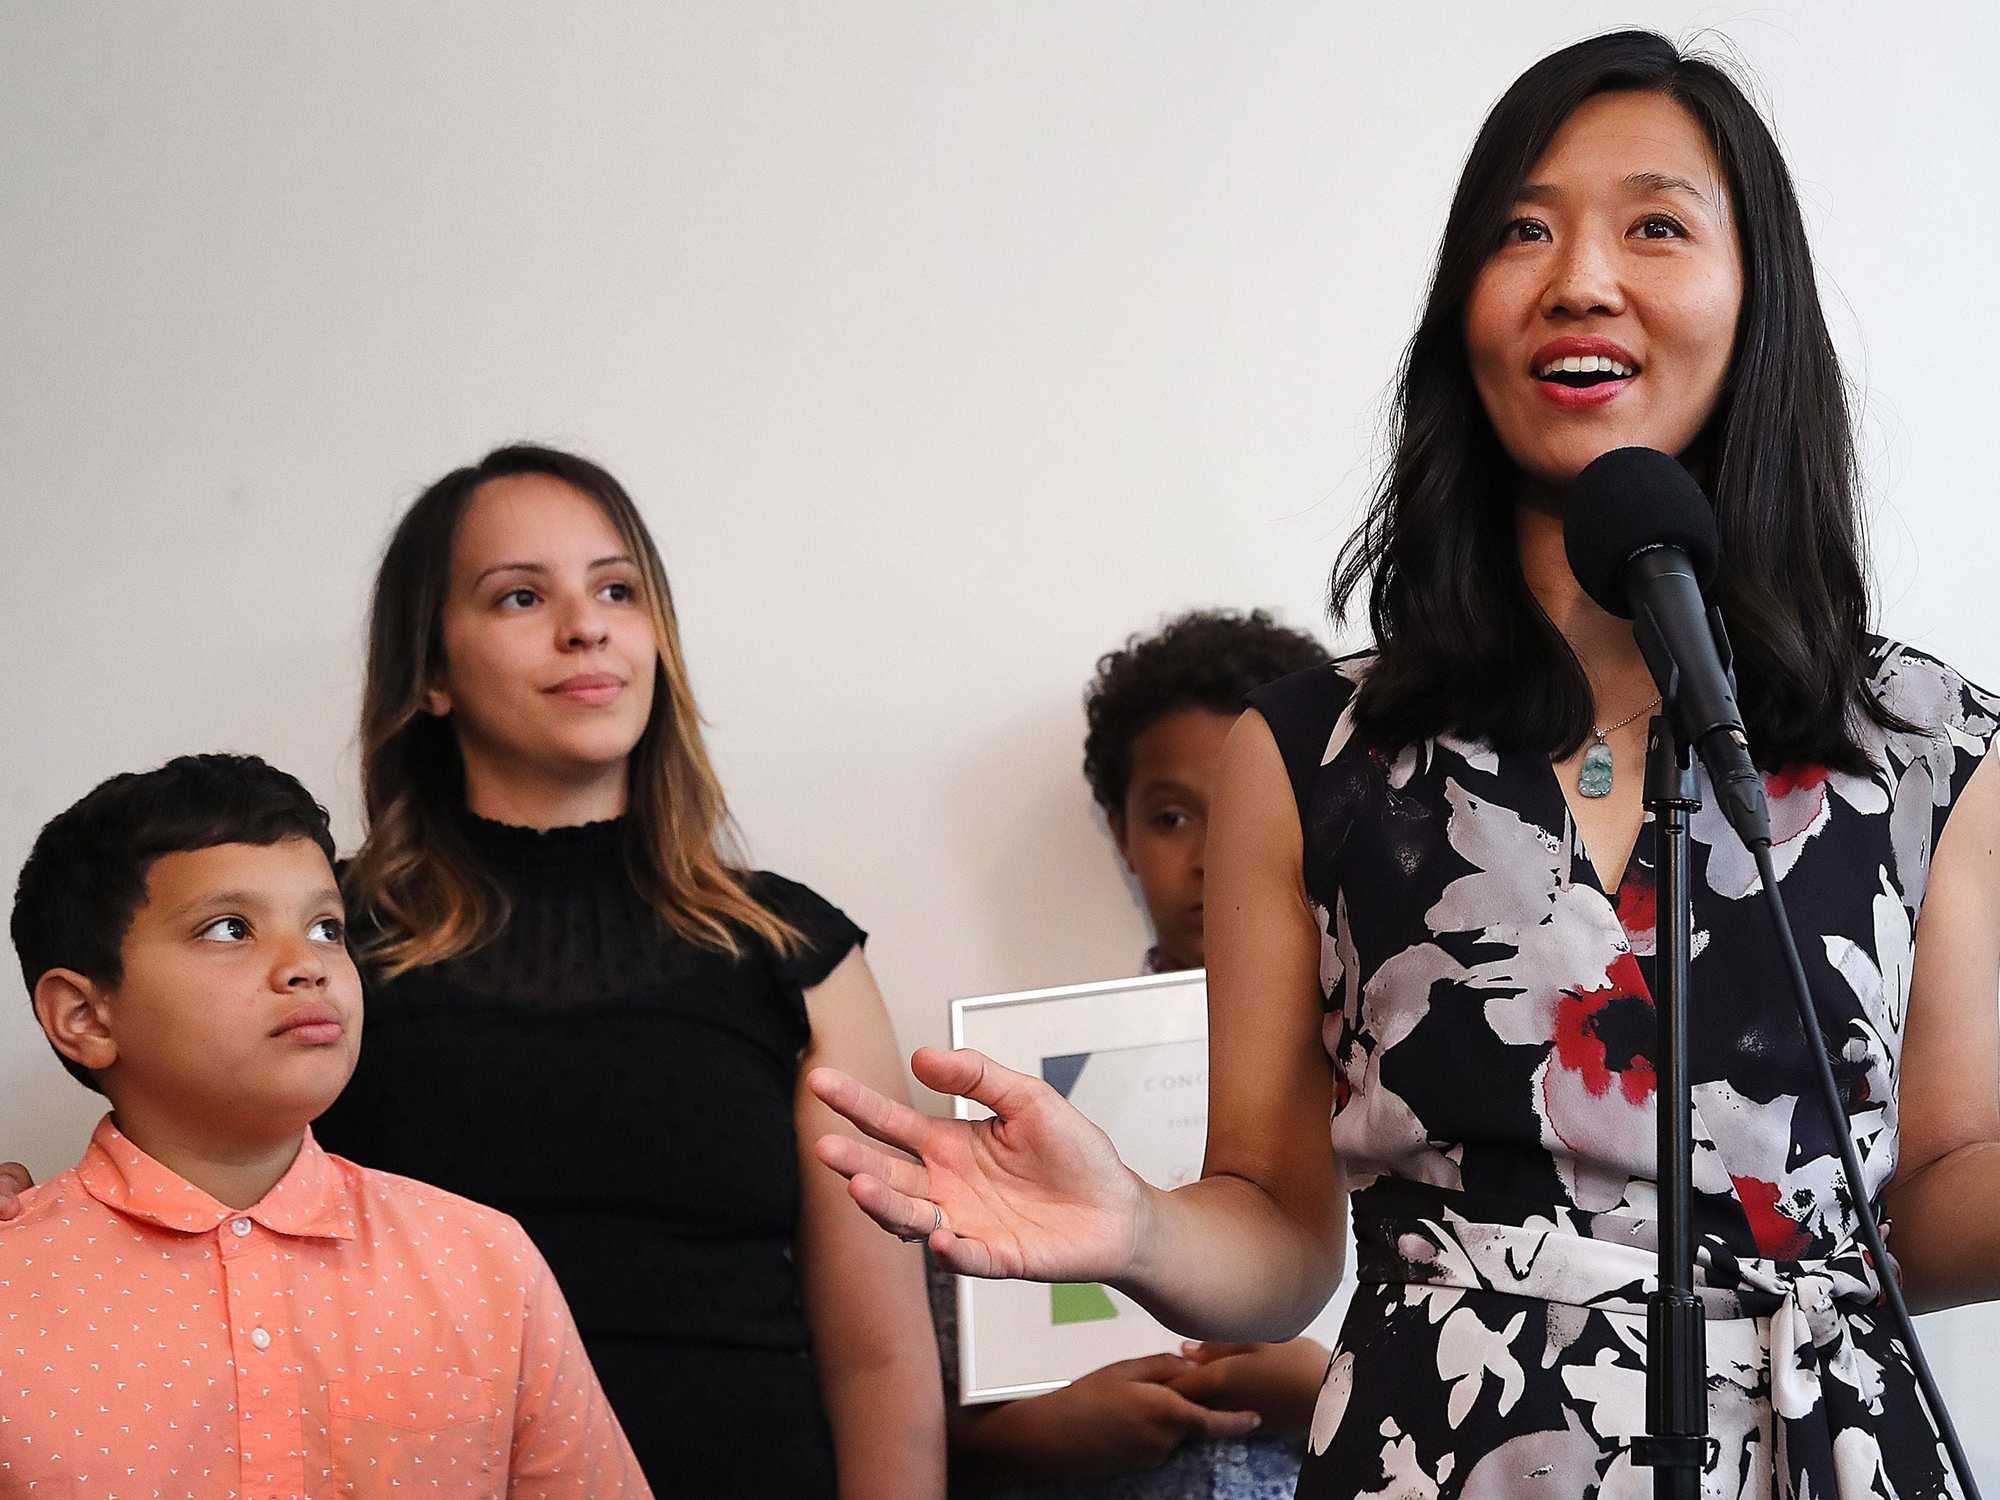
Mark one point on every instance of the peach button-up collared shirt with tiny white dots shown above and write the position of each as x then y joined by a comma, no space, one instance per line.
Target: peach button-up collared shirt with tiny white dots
351,1335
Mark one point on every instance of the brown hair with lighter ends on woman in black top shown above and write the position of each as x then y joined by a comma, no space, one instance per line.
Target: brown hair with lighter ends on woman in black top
417,889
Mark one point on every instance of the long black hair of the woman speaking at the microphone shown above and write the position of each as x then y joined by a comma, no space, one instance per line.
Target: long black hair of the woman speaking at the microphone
1461,639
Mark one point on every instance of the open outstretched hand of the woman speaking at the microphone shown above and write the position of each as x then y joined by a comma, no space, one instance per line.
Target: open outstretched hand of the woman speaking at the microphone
1035,1193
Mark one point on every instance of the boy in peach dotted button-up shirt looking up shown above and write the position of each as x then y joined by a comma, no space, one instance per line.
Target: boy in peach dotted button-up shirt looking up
209,1305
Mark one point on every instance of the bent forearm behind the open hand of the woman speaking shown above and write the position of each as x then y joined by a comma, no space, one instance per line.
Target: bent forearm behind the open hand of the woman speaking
1221,1259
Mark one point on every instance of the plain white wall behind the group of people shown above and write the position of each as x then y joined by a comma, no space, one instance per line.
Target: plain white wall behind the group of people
943,345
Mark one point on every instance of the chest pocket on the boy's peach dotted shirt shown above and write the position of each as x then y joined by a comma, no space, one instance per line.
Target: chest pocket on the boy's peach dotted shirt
435,1431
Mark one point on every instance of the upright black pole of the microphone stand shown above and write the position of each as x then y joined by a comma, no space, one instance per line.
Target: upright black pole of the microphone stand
1677,1359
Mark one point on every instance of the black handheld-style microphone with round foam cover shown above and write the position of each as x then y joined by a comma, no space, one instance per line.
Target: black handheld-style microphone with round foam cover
1643,543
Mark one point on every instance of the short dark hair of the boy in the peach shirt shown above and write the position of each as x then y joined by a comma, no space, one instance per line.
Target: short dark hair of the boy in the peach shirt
87,873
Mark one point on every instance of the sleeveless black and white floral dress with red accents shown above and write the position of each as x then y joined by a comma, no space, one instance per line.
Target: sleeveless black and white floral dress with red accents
1489,1021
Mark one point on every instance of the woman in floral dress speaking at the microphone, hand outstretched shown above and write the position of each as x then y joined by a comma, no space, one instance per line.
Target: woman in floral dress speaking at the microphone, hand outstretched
1431,913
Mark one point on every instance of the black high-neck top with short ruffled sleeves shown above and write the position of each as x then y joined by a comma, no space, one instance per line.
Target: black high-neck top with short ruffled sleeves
629,1099
